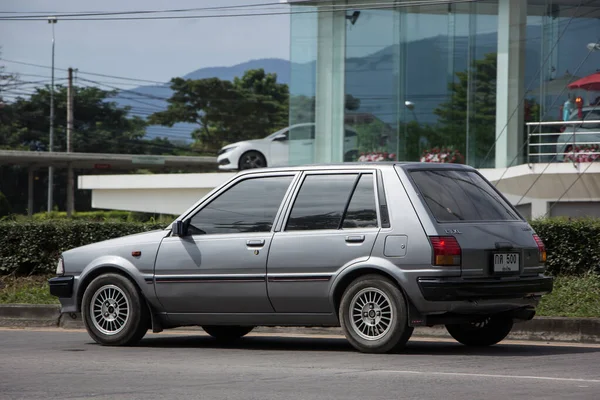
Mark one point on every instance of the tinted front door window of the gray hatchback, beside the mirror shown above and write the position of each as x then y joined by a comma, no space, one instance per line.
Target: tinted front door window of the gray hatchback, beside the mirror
249,206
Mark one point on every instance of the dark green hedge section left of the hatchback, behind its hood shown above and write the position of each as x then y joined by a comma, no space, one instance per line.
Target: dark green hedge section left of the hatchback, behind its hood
32,247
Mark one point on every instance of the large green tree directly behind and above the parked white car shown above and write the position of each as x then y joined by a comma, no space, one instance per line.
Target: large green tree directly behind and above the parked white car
250,107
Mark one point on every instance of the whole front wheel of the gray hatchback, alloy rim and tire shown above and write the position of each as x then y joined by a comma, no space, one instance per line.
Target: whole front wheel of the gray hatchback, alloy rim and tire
114,312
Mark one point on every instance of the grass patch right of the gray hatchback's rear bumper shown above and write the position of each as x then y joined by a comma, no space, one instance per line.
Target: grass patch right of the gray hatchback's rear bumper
572,297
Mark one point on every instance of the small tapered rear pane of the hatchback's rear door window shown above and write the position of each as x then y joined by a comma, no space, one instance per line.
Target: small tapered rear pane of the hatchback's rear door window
362,211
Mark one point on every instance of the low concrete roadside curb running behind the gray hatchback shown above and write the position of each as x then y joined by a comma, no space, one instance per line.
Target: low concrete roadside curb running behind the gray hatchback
548,329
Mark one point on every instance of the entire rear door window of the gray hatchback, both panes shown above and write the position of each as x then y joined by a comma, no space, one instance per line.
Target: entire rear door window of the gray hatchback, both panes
323,202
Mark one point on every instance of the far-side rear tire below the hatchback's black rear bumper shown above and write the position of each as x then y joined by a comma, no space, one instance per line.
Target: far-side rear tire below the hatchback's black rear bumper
488,332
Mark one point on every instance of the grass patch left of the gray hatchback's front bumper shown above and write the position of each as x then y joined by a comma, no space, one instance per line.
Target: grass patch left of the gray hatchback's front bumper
26,290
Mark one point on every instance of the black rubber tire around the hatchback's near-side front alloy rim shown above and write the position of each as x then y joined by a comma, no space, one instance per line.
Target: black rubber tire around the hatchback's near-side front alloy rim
137,321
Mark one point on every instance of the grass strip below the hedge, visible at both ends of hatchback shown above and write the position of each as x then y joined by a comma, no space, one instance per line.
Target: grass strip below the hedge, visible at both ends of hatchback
572,296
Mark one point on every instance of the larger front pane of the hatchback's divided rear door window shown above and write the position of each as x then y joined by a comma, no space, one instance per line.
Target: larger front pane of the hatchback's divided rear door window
321,202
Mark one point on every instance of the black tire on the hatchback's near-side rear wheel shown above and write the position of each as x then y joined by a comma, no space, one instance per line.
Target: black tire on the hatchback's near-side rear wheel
394,336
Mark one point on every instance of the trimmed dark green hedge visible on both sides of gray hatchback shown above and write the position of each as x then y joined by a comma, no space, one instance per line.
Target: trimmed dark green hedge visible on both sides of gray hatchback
31,246
